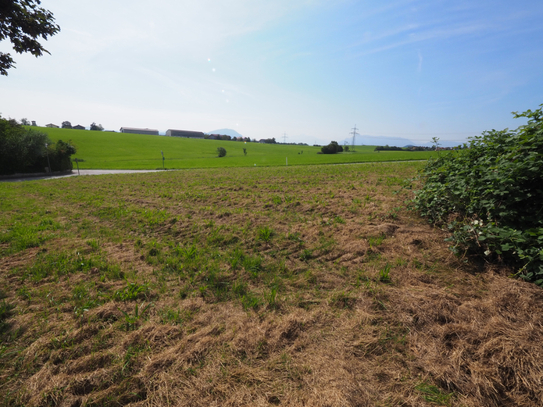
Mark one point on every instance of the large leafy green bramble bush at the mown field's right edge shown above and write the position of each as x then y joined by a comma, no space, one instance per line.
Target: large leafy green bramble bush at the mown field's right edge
490,196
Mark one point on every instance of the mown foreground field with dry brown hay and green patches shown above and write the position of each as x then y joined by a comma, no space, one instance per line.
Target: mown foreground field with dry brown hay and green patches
293,286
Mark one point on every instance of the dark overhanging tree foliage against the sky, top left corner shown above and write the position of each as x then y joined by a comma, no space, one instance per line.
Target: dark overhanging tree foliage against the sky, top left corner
23,23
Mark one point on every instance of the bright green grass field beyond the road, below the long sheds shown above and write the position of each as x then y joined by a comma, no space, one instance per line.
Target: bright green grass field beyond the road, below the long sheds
106,150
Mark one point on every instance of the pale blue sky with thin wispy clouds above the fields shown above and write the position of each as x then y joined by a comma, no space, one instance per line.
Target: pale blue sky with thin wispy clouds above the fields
308,69
